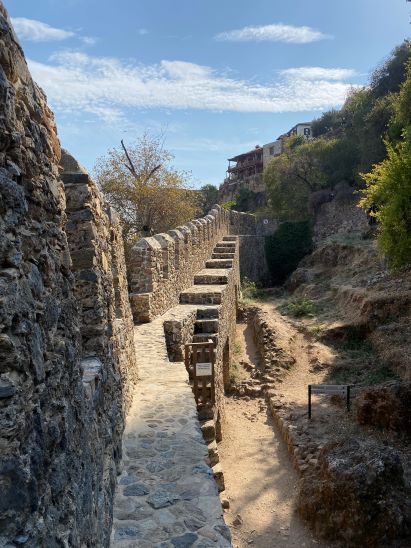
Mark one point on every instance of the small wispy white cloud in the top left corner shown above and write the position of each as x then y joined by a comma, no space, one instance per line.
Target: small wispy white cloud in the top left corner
37,31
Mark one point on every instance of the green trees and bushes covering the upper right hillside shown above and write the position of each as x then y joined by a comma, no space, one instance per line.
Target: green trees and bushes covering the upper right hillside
370,135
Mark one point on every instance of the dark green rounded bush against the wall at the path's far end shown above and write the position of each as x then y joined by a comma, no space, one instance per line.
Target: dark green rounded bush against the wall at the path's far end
286,247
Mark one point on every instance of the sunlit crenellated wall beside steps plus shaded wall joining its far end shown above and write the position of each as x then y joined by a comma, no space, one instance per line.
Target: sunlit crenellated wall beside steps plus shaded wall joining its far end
163,265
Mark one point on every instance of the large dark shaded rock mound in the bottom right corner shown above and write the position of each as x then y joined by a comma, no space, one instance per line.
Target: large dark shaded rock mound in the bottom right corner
357,495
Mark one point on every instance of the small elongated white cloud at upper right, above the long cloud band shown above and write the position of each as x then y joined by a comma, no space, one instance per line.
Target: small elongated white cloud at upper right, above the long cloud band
273,33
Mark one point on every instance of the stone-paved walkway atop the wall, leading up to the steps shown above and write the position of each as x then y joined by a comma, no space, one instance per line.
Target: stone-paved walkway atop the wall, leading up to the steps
166,494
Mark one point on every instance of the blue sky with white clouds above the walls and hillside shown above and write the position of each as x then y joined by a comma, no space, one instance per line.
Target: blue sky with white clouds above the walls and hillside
216,77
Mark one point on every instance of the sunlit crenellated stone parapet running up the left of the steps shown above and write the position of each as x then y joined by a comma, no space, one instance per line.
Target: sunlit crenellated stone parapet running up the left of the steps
163,265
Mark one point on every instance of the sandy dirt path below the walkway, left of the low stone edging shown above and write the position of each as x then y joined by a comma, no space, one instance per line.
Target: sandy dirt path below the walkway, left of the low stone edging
260,480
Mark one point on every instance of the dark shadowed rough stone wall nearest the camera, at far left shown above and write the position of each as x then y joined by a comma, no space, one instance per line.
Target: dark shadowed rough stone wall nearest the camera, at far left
57,458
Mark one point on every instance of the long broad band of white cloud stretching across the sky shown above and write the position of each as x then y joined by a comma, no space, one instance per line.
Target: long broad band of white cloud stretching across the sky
107,87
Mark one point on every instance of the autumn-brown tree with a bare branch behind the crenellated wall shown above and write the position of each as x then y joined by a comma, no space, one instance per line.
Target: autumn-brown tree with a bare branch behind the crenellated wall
150,195
